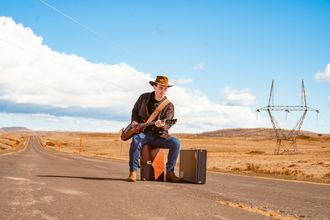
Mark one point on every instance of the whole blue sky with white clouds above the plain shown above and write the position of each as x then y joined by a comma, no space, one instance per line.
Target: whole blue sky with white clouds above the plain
81,65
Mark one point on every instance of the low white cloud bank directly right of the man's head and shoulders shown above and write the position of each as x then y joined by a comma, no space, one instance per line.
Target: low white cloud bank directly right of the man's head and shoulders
197,113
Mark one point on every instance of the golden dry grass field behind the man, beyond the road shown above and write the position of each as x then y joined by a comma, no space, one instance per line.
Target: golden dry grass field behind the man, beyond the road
251,155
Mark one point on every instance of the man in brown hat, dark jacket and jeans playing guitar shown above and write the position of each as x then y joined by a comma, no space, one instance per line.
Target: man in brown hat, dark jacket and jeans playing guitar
156,135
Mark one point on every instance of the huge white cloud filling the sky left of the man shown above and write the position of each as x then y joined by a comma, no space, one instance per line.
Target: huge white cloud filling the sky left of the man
33,73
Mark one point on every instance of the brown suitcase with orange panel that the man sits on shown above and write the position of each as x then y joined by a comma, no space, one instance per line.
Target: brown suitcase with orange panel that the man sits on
152,163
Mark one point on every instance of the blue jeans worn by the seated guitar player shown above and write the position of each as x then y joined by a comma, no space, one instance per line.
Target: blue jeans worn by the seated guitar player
138,140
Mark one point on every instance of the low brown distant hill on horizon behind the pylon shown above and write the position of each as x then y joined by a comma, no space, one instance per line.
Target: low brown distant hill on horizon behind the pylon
250,132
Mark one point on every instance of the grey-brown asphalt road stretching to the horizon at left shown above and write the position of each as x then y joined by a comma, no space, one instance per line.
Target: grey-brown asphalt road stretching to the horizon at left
39,184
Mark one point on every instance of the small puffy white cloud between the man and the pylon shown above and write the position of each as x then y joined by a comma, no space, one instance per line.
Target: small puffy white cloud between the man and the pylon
238,97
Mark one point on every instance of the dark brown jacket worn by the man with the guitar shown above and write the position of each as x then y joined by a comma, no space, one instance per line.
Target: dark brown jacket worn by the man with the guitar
140,114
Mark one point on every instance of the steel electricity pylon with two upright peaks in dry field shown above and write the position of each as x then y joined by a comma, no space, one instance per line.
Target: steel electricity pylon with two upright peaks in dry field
286,141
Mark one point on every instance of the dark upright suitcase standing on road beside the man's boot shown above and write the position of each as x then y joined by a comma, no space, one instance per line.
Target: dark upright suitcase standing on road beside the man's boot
193,165
